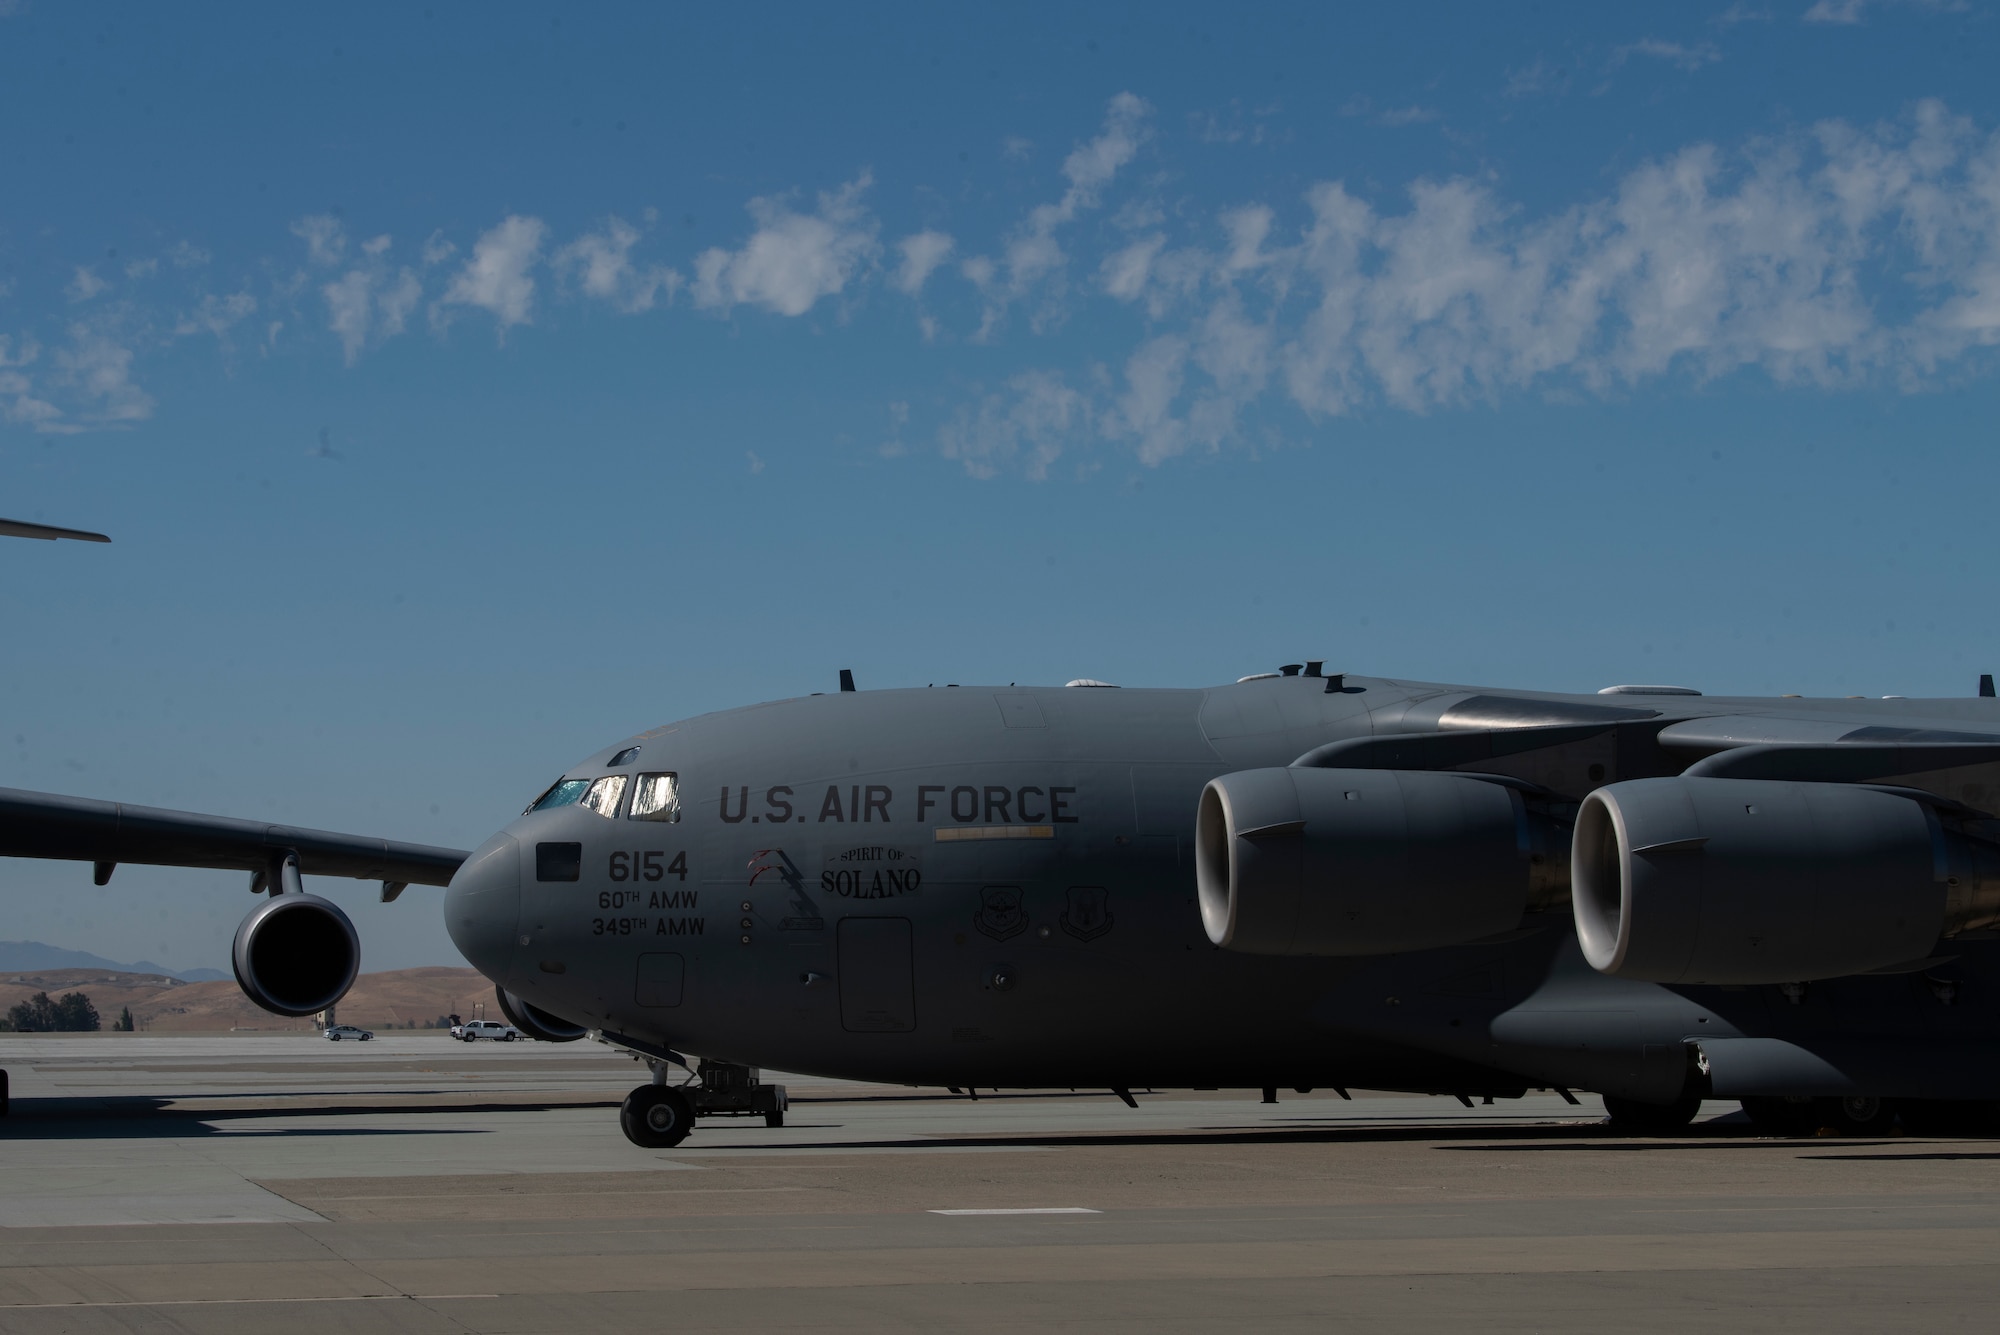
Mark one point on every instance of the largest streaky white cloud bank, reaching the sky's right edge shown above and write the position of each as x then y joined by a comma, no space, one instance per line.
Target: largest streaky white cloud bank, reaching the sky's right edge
1831,259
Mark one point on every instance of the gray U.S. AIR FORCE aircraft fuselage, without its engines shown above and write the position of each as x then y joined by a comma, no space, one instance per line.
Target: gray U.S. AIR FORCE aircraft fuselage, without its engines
995,888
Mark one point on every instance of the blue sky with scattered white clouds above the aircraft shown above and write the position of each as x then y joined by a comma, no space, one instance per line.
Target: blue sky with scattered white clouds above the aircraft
469,387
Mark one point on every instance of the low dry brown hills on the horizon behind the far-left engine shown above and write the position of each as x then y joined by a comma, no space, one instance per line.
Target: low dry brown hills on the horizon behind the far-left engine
163,1004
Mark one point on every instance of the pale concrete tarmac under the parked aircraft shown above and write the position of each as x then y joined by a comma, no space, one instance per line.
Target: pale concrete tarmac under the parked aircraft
413,1184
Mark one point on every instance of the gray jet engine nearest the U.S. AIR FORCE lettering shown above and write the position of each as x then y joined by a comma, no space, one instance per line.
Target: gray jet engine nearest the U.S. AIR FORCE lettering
1369,862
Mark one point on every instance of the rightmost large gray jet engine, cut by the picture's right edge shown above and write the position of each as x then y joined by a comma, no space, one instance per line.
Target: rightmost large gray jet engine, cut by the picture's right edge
1693,880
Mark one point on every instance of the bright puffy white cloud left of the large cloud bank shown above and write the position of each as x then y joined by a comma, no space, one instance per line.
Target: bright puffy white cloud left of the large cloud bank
791,261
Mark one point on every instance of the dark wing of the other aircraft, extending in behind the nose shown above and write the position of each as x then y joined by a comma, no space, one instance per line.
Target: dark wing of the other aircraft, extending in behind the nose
113,832
